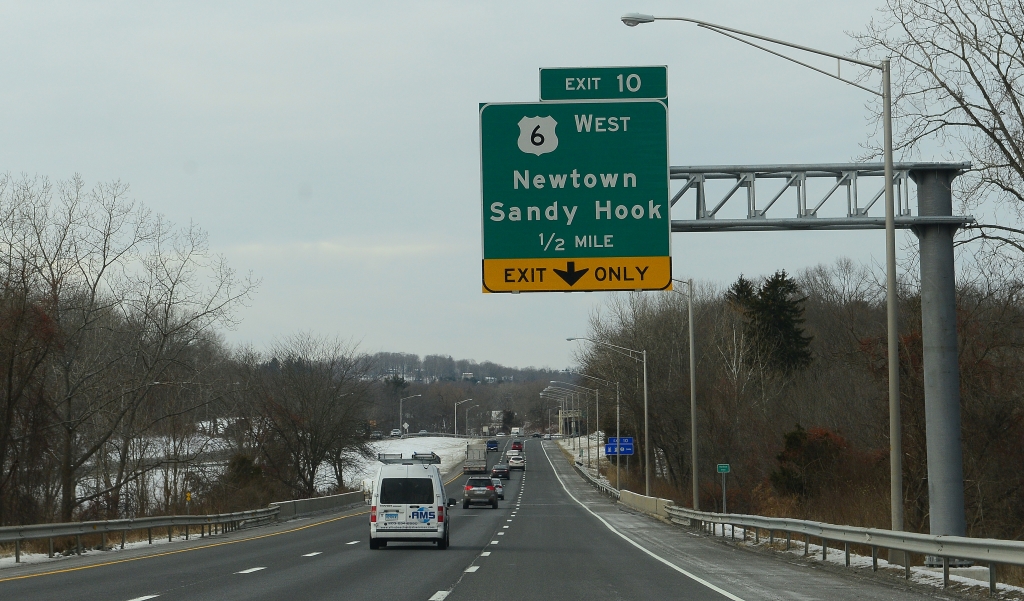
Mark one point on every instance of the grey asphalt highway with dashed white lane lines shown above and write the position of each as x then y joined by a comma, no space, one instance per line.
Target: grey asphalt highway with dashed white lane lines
552,538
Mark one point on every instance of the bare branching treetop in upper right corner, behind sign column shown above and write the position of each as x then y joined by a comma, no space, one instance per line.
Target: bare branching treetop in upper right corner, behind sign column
959,78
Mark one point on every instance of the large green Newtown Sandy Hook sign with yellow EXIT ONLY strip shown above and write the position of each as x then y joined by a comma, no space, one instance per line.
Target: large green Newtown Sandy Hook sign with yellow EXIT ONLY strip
575,196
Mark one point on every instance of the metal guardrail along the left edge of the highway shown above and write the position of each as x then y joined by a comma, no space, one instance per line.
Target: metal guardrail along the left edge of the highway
222,523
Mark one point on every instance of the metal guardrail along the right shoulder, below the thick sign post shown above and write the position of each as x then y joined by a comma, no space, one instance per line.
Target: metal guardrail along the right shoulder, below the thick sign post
991,551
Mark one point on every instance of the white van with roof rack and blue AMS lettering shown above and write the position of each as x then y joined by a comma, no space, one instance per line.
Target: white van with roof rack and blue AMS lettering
409,503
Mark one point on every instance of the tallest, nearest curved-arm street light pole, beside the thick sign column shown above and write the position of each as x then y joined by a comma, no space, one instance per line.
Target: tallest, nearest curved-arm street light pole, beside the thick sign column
895,421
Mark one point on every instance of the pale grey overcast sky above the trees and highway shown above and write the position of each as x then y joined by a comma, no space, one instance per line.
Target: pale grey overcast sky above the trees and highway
332,148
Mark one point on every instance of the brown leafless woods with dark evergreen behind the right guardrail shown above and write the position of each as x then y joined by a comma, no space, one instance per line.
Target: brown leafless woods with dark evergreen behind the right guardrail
792,393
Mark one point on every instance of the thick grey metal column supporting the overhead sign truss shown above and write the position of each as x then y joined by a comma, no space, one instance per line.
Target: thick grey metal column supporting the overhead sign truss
938,317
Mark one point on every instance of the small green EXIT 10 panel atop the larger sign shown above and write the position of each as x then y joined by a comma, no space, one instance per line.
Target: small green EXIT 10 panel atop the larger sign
613,83
